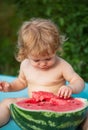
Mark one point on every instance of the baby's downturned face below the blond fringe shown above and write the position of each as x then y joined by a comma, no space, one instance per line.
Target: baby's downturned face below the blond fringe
43,62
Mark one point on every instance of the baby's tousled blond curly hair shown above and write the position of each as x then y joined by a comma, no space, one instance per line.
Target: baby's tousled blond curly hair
37,37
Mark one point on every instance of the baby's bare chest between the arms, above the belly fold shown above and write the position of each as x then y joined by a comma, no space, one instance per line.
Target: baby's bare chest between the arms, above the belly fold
43,77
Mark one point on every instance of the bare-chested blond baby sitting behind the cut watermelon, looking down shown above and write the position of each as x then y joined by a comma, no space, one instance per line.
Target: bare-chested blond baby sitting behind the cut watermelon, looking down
41,69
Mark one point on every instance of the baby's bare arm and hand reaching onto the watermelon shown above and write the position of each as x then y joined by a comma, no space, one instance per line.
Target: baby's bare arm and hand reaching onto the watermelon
76,83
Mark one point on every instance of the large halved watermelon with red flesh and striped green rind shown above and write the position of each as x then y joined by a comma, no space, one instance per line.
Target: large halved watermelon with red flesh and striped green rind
45,111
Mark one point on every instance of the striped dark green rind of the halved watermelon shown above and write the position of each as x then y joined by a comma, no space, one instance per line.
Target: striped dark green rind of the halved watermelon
48,120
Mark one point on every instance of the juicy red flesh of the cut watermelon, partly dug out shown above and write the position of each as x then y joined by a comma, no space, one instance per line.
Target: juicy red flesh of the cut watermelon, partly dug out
48,101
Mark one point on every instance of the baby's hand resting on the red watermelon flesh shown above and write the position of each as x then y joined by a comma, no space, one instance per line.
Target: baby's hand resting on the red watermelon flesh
65,91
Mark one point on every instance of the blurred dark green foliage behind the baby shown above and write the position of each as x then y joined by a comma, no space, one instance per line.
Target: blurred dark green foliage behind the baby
71,17
